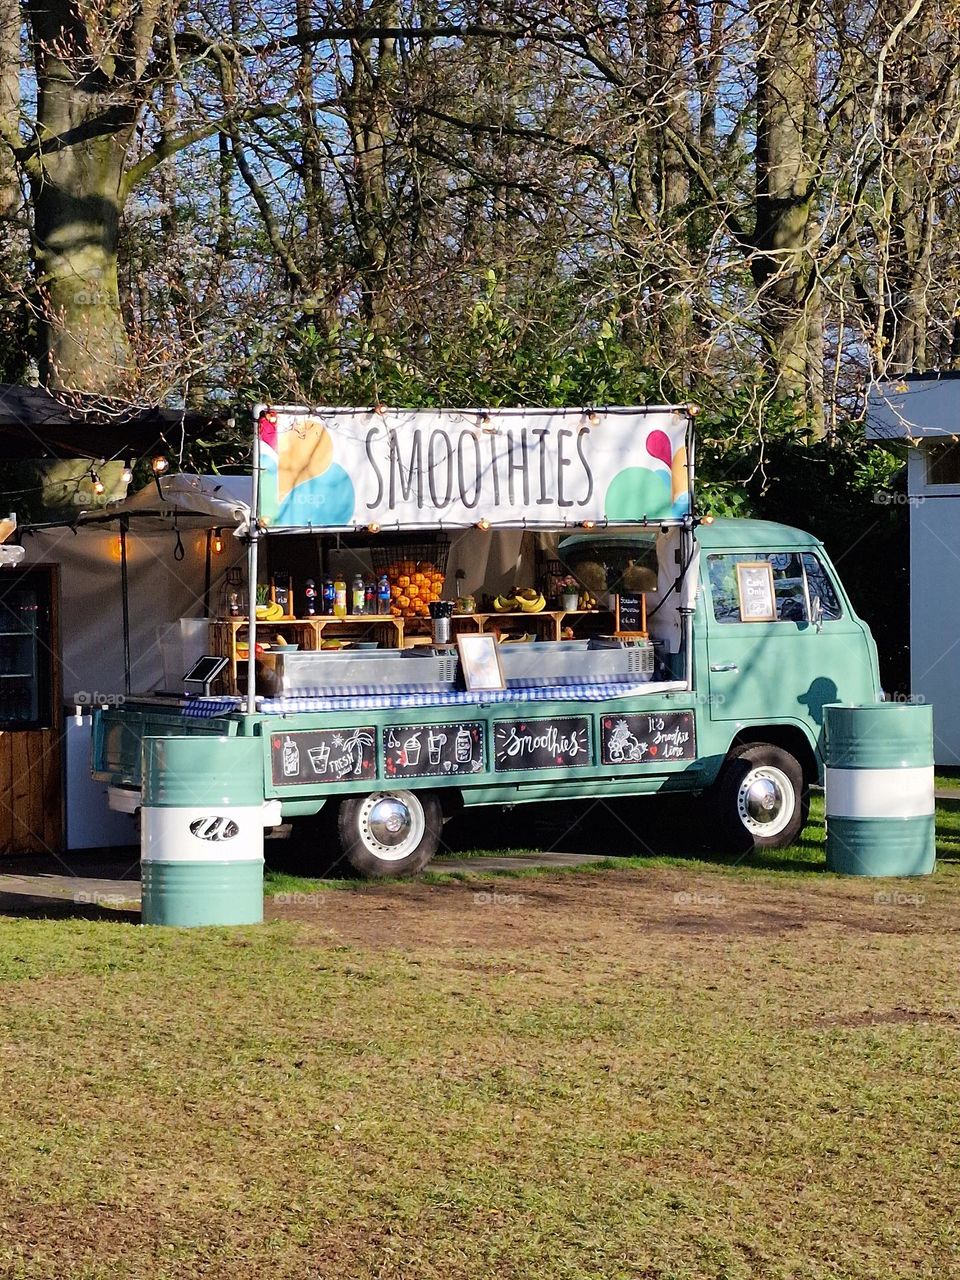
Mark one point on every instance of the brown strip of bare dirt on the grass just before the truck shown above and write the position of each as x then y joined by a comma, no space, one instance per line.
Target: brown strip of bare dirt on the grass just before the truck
580,909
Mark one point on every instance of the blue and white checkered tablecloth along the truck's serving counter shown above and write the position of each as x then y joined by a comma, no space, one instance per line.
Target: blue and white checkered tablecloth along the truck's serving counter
369,698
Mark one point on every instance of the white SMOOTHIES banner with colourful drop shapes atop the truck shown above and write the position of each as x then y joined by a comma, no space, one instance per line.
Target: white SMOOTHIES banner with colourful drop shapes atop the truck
403,469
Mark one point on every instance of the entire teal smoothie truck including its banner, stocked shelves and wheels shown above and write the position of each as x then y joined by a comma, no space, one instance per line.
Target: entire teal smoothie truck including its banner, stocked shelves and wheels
641,647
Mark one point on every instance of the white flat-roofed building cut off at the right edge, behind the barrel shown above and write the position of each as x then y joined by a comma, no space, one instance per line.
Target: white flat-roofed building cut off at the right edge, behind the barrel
924,412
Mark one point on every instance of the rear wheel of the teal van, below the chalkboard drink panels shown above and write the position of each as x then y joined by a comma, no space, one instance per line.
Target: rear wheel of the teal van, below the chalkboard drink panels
390,833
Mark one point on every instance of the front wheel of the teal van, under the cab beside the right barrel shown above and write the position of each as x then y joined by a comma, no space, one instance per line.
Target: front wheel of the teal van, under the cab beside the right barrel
761,798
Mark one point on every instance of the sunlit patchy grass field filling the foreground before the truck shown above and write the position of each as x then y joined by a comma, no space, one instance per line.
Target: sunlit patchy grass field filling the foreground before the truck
665,1068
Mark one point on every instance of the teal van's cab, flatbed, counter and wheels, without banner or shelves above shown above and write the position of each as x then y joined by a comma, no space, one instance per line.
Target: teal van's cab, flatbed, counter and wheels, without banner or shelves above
752,636
